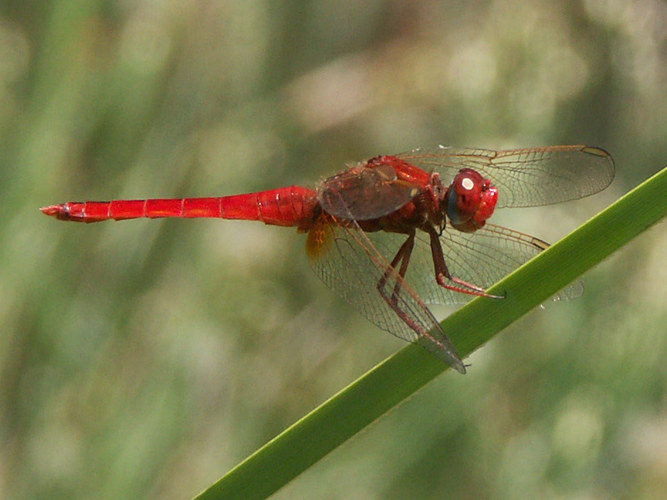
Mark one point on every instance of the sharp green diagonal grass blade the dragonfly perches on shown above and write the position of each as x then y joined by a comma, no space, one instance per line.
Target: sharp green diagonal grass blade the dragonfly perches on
328,426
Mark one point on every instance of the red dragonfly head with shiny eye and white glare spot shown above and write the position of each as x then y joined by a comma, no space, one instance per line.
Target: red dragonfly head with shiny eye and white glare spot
470,200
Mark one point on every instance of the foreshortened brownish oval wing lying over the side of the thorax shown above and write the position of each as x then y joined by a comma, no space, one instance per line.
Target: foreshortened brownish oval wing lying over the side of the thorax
363,193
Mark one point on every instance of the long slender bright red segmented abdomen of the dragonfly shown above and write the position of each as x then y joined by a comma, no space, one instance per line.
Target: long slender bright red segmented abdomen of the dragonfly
288,206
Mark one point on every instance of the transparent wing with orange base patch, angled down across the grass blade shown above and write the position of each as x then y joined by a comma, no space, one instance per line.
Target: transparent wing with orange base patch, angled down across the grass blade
348,262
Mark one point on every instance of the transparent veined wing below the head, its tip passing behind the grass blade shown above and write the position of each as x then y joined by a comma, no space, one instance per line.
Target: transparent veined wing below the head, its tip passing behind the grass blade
481,258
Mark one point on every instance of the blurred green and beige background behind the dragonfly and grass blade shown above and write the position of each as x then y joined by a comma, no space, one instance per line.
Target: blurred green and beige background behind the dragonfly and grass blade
146,358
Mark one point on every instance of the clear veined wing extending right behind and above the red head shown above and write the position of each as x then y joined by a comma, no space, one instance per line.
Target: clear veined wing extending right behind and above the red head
525,177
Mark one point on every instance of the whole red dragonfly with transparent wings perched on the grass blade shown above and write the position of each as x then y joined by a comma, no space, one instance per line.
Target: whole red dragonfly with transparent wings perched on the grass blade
428,207
